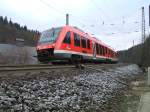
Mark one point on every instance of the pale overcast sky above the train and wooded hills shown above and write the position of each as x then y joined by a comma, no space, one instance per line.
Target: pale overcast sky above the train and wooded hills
115,22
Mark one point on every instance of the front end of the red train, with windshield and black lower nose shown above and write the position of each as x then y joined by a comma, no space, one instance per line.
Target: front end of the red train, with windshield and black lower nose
47,43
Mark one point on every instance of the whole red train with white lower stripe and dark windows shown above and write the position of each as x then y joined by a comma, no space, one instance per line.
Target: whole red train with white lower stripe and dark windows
71,43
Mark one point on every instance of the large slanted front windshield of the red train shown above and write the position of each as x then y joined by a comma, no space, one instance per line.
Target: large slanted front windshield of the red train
49,36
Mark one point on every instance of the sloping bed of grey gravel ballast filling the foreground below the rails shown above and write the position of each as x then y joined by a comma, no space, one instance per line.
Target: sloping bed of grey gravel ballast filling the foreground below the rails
66,90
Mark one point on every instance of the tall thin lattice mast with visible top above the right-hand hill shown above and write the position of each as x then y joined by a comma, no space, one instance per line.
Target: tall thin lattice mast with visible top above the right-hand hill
143,25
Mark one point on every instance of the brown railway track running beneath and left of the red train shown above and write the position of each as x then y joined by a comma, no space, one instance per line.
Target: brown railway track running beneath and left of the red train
6,68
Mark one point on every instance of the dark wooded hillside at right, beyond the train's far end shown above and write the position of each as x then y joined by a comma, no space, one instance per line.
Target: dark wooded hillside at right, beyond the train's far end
139,54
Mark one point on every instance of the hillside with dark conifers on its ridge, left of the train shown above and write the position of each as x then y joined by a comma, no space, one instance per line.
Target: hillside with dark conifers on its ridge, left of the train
10,31
